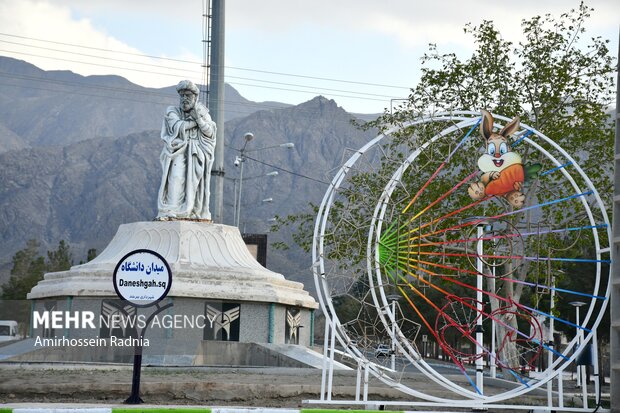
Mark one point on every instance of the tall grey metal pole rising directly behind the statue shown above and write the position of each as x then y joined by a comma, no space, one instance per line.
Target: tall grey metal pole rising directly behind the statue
216,101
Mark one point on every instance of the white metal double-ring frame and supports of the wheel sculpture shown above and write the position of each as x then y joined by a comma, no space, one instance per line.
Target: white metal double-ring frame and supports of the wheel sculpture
335,333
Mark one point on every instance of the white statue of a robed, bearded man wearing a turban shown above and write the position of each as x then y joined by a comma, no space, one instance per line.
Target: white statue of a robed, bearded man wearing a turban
186,159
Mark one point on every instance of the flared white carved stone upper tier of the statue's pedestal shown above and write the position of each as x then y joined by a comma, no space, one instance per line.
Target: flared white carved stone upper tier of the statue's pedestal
207,261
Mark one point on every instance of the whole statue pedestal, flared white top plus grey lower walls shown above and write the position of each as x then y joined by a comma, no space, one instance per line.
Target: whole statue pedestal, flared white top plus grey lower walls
214,277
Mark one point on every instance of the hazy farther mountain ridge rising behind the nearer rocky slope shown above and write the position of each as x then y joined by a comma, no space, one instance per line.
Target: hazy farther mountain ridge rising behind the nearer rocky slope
51,108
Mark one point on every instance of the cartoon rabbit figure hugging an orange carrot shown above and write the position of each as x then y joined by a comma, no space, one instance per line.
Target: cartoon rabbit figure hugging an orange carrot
502,168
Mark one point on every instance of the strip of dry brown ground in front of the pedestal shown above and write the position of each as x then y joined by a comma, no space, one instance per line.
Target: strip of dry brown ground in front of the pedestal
250,387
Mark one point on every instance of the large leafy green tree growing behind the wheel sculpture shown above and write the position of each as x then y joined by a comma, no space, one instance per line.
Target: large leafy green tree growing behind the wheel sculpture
556,80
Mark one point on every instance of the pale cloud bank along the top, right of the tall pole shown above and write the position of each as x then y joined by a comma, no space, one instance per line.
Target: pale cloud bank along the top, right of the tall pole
413,23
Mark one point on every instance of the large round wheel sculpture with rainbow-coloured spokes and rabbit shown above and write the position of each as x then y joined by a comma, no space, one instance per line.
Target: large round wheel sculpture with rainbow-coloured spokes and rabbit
478,230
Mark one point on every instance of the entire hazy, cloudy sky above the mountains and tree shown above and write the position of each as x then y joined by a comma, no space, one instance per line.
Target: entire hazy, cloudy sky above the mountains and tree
284,50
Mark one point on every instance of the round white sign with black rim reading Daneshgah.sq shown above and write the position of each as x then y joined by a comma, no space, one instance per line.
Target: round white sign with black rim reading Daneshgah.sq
142,278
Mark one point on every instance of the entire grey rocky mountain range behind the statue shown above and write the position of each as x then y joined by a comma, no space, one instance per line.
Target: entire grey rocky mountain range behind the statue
80,155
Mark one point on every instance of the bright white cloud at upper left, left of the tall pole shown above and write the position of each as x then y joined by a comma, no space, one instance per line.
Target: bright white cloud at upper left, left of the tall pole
32,20
